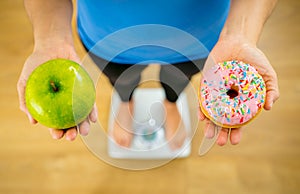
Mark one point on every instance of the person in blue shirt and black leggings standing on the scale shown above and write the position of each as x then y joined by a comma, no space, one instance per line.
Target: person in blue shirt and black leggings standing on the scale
228,29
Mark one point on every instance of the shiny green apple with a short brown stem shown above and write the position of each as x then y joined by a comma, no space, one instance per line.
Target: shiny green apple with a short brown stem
60,94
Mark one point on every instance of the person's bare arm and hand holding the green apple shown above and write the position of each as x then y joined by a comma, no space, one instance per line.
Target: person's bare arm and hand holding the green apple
52,27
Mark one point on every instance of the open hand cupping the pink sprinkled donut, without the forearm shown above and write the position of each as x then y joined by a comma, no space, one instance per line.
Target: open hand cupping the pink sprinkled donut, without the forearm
237,48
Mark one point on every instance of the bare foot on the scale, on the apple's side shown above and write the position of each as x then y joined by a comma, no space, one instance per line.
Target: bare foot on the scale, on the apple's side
122,131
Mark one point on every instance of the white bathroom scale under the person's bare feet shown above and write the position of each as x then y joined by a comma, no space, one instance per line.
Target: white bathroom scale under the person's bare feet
148,126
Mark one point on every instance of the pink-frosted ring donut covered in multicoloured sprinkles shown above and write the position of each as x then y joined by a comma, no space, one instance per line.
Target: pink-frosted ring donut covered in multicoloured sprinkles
232,93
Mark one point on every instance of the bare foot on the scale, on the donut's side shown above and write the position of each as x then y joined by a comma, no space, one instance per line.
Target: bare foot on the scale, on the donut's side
175,130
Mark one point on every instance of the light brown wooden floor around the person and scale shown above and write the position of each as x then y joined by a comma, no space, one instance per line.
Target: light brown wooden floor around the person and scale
266,161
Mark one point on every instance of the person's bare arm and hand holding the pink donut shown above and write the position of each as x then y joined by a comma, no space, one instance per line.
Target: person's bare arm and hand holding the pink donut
238,41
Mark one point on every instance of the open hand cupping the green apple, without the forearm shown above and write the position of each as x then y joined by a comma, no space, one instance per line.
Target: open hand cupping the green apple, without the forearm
40,55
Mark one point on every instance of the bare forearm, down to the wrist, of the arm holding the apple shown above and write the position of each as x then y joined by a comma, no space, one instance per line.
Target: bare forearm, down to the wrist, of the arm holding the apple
51,20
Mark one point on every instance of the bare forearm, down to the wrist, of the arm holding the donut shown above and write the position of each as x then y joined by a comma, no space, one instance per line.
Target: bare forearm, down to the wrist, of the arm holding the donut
246,19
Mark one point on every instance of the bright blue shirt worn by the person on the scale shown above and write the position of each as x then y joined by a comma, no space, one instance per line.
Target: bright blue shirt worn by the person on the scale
143,31
